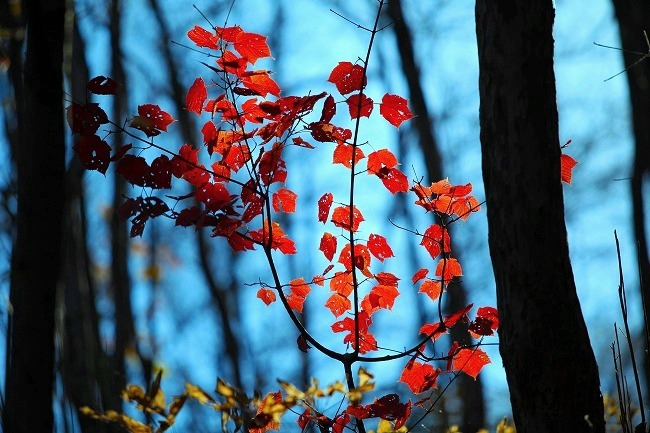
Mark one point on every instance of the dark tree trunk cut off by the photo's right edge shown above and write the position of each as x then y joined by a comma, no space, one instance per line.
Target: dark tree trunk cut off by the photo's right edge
633,18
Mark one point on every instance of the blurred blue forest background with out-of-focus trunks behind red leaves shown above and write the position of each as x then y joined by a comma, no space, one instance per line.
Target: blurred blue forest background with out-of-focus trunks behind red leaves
182,302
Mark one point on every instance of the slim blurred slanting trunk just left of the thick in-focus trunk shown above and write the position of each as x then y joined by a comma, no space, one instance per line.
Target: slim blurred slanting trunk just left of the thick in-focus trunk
470,391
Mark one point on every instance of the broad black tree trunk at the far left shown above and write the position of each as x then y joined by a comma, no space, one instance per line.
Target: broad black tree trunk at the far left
36,264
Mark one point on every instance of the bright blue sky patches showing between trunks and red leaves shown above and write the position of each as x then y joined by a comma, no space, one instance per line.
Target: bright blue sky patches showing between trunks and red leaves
311,41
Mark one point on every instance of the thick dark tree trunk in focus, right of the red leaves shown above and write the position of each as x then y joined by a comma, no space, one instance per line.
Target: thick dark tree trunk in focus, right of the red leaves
550,366
